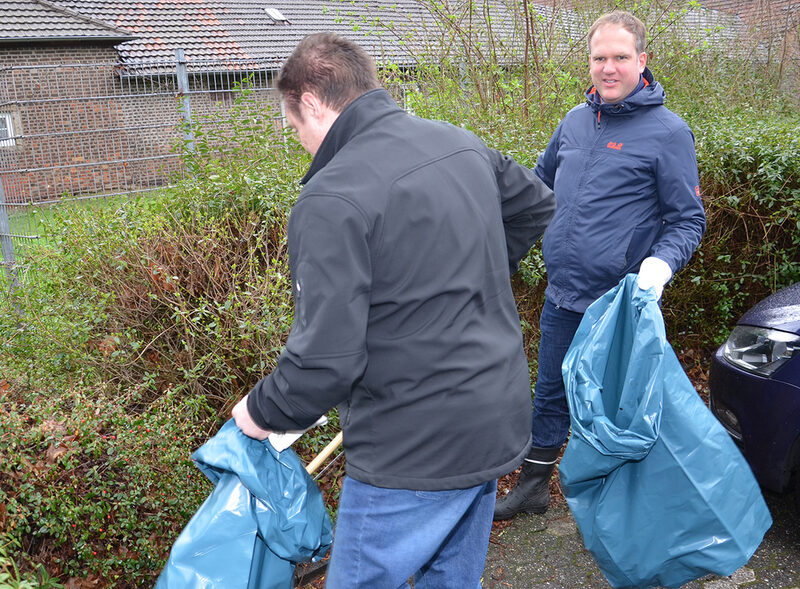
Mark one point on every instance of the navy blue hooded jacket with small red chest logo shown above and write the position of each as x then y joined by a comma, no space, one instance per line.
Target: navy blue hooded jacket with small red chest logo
626,185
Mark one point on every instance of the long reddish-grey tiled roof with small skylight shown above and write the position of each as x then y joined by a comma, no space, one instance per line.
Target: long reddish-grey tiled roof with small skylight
242,29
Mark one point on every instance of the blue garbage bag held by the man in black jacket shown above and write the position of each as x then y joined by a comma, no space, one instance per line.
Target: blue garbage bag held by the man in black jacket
264,515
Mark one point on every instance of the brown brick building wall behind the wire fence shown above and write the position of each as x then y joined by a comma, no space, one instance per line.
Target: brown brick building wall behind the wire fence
85,127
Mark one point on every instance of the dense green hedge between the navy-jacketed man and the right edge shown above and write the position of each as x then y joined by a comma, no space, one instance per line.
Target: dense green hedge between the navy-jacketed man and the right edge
750,177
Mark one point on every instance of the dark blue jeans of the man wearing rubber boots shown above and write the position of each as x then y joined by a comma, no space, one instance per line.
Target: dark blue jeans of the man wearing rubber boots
550,422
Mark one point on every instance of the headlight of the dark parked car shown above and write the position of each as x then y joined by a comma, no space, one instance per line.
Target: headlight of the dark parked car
760,350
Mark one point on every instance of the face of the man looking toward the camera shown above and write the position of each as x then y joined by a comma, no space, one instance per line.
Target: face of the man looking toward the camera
613,62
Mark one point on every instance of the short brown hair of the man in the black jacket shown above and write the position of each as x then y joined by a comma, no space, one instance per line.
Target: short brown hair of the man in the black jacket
333,68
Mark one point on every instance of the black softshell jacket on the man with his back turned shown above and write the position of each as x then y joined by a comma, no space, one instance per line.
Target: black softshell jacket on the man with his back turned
401,246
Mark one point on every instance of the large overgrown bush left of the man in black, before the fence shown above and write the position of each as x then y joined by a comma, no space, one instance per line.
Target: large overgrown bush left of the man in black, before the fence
146,320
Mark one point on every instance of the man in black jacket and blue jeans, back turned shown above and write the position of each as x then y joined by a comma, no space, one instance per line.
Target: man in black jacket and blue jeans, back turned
401,246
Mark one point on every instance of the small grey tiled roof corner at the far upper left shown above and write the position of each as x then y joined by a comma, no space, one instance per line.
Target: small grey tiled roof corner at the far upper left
38,20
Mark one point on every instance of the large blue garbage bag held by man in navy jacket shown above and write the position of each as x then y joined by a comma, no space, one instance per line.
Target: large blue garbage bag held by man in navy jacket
659,491
